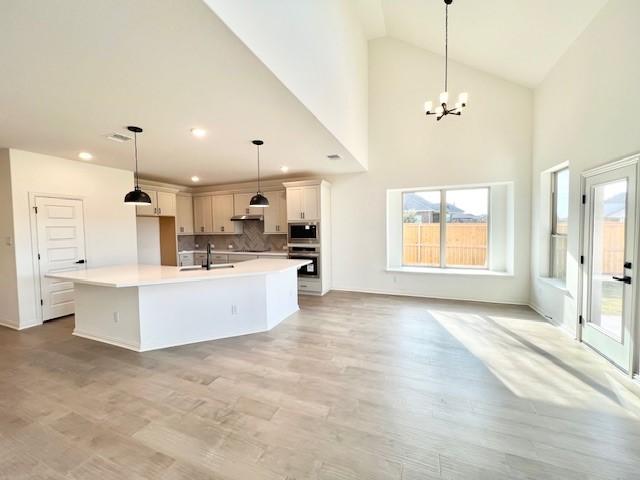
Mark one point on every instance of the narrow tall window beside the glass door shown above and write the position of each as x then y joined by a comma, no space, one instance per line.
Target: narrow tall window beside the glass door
559,223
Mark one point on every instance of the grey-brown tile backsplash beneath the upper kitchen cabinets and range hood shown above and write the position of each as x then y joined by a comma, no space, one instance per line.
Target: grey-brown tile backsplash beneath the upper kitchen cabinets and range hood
252,238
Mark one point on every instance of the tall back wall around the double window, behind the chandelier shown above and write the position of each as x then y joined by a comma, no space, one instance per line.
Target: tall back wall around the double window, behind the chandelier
491,142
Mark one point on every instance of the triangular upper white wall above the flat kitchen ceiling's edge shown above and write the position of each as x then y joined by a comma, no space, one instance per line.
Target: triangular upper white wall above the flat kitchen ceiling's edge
318,50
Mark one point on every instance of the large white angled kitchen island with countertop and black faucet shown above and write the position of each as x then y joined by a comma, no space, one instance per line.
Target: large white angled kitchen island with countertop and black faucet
148,307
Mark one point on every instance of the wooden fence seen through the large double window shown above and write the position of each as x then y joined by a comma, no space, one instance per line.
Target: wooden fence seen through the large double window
466,244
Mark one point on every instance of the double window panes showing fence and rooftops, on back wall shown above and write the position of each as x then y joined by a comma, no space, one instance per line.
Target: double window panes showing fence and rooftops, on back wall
446,228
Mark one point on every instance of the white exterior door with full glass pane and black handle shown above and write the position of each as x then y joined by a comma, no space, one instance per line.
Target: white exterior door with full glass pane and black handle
609,233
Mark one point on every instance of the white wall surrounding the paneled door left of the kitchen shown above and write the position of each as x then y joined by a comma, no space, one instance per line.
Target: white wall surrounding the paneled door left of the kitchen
110,225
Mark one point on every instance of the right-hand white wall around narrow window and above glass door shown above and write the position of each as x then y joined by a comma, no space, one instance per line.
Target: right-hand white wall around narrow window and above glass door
586,113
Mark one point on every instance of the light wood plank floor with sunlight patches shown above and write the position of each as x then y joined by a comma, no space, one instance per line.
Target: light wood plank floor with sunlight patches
352,387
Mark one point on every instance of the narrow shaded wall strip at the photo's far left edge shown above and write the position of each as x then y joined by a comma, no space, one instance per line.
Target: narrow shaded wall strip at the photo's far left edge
8,279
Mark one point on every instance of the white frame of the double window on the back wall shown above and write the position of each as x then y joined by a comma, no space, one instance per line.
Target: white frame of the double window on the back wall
443,228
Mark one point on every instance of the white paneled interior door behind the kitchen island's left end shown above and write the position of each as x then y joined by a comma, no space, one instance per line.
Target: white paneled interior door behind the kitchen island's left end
60,232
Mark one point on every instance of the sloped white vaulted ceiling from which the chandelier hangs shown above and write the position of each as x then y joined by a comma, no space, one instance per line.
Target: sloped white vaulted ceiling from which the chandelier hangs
519,40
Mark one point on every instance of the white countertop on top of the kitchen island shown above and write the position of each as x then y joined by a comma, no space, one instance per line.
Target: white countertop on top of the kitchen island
140,275
